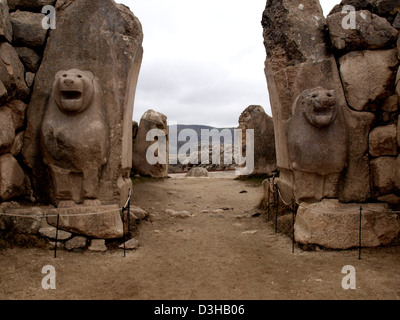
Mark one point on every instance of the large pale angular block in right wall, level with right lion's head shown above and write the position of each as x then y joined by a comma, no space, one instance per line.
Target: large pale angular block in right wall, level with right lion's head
368,77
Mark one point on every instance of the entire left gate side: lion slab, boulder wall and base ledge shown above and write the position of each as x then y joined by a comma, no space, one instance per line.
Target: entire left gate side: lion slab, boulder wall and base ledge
66,105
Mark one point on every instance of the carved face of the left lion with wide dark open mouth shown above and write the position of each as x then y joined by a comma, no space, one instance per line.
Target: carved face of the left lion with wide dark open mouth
73,90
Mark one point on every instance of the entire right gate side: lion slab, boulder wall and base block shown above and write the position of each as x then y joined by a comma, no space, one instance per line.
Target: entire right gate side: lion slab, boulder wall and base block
334,88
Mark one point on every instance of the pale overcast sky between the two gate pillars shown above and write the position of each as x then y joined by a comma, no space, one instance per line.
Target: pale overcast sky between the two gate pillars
203,60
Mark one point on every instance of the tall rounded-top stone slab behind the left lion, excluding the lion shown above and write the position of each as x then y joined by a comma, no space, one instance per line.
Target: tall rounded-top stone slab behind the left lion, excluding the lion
110,47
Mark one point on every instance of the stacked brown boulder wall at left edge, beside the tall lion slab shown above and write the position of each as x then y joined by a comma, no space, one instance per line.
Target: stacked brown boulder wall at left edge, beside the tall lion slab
22,42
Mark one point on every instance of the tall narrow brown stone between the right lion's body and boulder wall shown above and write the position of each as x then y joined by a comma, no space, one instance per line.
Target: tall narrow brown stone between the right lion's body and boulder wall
355,182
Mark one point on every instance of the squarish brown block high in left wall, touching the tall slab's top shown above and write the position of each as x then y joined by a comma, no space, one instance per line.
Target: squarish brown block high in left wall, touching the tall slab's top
27,29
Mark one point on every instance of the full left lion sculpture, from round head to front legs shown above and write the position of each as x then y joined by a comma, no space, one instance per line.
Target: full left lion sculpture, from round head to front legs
75,136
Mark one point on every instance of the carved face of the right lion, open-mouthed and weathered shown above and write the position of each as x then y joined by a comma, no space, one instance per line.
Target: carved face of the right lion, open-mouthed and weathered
319,106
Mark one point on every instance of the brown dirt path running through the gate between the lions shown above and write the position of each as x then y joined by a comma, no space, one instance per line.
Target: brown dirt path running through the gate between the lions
207,256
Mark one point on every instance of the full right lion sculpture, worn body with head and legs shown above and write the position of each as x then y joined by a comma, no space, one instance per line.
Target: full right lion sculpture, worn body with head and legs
317,141
